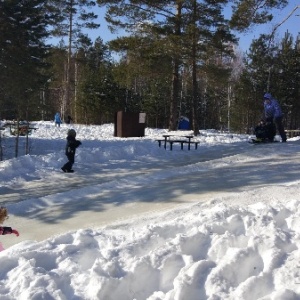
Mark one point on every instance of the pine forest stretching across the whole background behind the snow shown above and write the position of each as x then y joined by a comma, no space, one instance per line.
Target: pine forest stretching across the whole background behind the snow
175,58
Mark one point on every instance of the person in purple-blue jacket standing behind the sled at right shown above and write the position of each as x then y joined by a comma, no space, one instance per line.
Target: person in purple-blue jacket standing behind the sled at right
272,113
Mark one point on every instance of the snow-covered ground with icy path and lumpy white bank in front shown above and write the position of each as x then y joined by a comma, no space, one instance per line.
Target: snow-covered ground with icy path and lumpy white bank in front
136,221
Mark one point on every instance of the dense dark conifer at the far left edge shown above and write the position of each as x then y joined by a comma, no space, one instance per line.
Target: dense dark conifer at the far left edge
23,27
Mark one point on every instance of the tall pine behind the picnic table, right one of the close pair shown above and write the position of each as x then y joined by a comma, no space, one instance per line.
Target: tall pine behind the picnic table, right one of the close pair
207,41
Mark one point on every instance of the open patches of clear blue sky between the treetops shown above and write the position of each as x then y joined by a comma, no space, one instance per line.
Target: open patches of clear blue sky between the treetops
292,25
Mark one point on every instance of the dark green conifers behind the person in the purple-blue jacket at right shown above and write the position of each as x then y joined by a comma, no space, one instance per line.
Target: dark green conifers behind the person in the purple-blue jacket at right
269,67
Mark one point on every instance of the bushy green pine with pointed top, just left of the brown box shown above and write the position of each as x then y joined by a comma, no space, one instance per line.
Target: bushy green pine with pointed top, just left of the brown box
97,93
